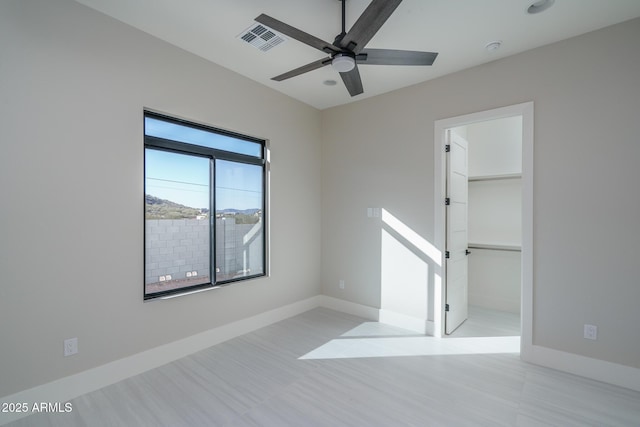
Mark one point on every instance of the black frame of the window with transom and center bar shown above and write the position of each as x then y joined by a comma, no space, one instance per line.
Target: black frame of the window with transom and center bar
213,154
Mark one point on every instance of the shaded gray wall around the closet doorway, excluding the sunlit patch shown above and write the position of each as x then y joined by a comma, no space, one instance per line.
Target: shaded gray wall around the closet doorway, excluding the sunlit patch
586,92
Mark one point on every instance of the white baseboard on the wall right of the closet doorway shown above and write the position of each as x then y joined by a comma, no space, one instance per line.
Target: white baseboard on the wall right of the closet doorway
599,370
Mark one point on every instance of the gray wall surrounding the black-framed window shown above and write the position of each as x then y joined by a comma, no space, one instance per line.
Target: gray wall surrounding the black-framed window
73,87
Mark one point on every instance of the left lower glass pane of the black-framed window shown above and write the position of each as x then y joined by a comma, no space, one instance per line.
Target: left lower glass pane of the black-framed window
177,231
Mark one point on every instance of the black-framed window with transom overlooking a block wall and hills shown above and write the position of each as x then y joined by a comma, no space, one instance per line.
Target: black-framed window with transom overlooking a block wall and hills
204,206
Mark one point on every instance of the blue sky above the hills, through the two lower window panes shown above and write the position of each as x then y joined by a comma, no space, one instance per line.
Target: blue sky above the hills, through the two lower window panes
184,179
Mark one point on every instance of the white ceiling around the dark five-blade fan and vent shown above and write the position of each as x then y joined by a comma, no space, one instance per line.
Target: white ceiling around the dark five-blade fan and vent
457,29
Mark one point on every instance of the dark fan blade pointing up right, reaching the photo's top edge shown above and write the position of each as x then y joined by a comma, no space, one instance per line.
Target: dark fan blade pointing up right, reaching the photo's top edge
373,17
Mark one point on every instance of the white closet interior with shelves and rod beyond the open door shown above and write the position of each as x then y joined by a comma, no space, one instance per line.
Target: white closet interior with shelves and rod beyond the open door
494,213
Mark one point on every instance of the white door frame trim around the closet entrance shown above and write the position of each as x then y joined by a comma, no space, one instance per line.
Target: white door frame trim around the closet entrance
440,127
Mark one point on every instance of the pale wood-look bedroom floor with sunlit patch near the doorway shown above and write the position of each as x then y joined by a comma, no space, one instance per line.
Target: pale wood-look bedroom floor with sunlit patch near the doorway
309,371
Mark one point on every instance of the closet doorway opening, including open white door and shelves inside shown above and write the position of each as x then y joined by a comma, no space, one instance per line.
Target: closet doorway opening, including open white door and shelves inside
492,224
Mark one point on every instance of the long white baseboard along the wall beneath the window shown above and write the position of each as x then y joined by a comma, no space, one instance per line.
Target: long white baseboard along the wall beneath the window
67,388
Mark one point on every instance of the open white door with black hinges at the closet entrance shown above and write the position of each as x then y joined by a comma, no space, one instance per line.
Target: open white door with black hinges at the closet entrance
457,235
